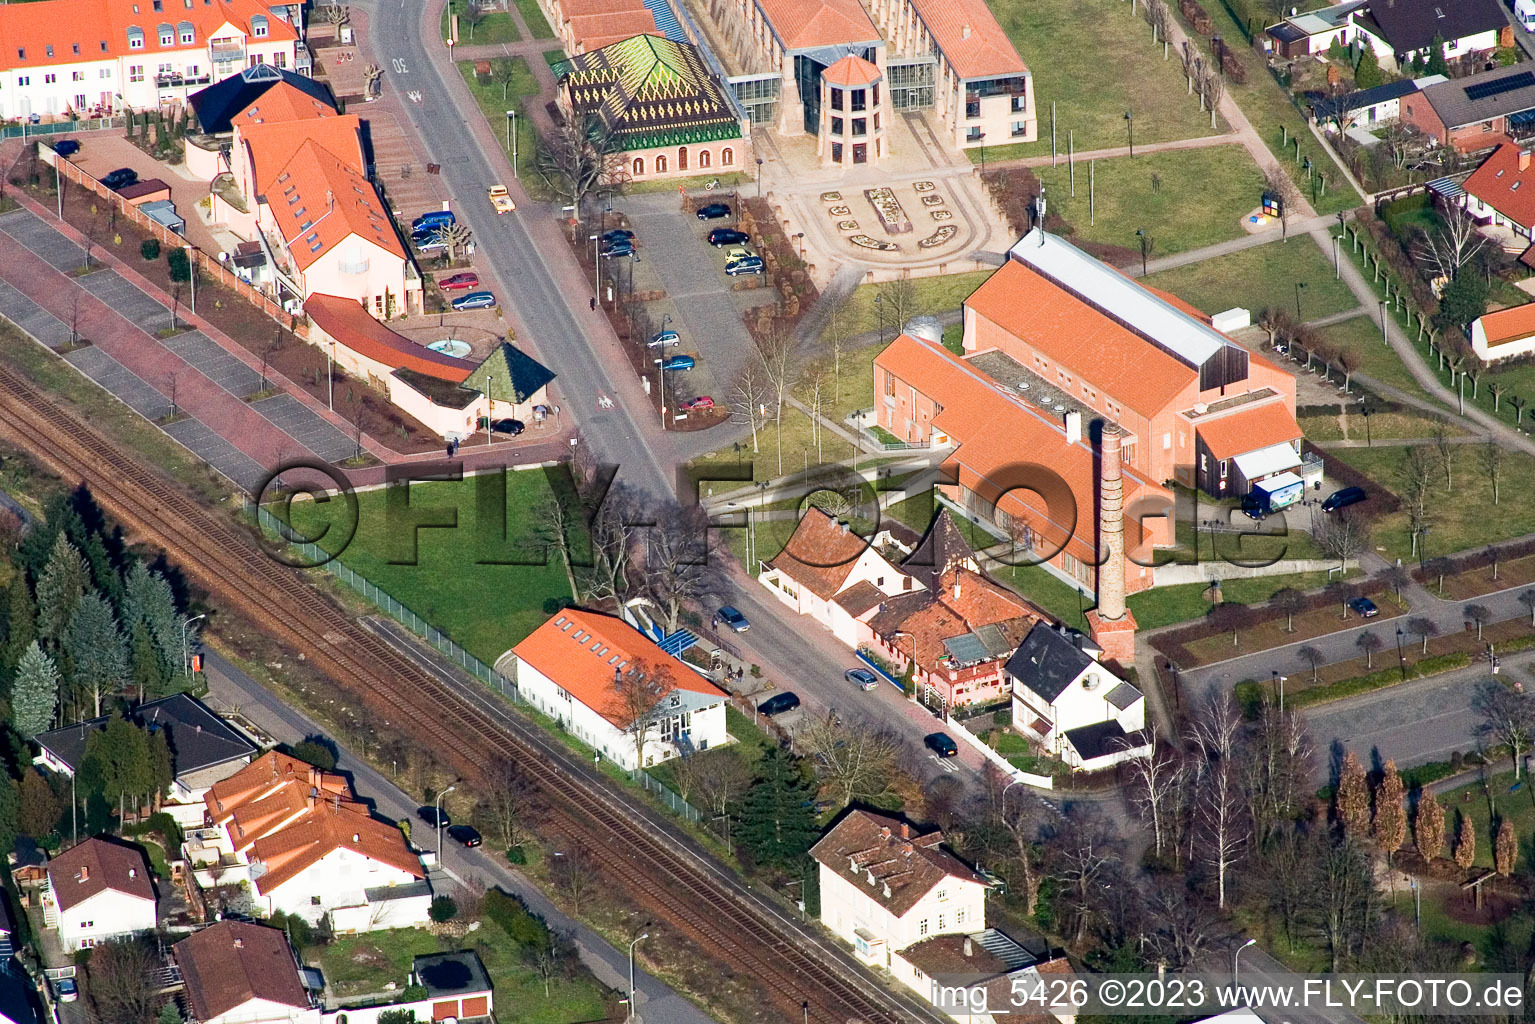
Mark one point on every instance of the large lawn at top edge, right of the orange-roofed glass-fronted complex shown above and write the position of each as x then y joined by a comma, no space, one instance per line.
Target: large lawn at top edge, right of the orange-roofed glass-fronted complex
1065,44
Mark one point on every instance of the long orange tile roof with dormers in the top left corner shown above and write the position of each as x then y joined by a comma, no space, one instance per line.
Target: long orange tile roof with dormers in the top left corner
99,28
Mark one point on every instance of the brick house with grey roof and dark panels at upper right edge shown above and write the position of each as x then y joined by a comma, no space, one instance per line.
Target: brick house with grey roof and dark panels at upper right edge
1476,113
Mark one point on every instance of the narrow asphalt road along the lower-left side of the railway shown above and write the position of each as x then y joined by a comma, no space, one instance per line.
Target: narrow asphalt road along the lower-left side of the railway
233,689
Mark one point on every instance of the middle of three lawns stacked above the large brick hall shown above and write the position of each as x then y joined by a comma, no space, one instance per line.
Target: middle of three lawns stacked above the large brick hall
1183,199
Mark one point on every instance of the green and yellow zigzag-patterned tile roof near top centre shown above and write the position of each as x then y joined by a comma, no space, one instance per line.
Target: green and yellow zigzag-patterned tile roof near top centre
650,91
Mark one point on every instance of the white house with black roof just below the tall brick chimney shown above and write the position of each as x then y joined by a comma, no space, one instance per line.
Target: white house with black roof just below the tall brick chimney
1071,704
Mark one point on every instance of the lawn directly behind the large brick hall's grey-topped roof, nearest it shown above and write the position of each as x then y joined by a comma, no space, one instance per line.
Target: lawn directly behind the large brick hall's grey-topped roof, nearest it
1261,277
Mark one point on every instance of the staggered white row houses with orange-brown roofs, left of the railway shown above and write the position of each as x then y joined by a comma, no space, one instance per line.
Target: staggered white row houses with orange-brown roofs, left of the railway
308,847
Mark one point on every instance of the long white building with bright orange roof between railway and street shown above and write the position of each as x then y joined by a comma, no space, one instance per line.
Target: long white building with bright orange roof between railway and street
609,685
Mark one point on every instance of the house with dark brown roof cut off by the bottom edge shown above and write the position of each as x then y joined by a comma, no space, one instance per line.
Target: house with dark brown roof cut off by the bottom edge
243,974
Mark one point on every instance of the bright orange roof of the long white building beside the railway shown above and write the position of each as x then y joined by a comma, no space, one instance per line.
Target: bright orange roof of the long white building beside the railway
581,652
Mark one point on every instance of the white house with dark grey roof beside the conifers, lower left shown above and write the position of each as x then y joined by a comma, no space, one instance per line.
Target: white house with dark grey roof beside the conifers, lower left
203,750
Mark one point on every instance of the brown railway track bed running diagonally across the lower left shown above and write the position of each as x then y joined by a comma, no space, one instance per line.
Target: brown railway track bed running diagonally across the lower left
632,848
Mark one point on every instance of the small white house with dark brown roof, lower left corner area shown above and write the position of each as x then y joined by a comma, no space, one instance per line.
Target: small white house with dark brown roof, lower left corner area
96,891
